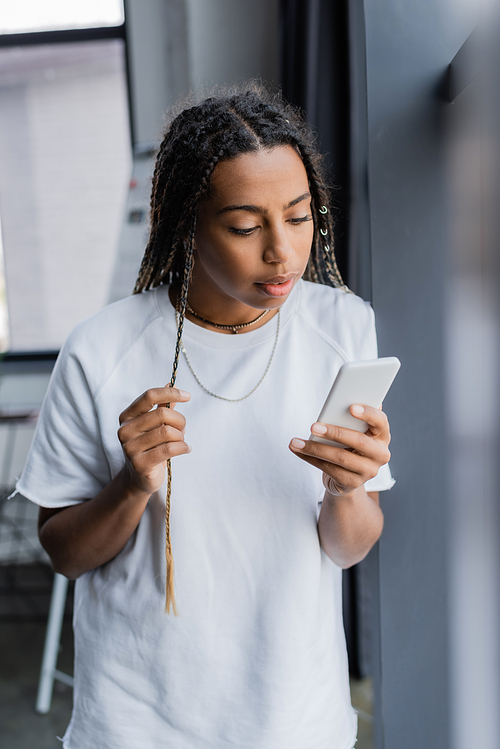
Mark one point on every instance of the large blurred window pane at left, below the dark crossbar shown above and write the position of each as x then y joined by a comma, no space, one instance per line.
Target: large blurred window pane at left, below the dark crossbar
64,170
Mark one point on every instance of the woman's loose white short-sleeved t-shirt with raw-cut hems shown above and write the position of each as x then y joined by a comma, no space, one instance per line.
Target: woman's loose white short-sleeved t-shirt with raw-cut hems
256,659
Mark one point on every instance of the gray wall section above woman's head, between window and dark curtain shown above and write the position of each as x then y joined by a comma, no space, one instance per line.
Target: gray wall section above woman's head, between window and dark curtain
175,45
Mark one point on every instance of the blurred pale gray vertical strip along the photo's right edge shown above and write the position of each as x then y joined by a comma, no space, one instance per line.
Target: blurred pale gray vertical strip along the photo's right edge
473,336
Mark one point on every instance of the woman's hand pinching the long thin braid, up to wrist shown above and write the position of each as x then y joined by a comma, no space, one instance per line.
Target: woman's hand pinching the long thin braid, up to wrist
150,436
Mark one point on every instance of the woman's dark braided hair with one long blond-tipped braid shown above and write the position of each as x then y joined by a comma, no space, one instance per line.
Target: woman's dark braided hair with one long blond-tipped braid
229,122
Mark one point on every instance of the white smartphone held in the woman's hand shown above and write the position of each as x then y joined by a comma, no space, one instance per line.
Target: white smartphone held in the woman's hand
366,382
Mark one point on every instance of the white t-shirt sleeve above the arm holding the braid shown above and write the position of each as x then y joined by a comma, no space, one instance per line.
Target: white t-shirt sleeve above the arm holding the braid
66,463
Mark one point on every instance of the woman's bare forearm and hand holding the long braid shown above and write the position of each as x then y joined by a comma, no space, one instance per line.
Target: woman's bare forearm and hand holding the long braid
81,537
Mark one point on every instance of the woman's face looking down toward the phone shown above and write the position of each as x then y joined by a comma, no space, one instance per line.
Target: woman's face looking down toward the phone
253,235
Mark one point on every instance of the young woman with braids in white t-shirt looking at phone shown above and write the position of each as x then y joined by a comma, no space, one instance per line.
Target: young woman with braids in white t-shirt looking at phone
262,519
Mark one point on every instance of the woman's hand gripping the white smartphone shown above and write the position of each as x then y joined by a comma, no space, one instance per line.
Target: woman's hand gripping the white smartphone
347,468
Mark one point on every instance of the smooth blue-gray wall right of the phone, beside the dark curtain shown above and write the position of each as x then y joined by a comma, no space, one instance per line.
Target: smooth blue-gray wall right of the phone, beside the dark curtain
409,46
